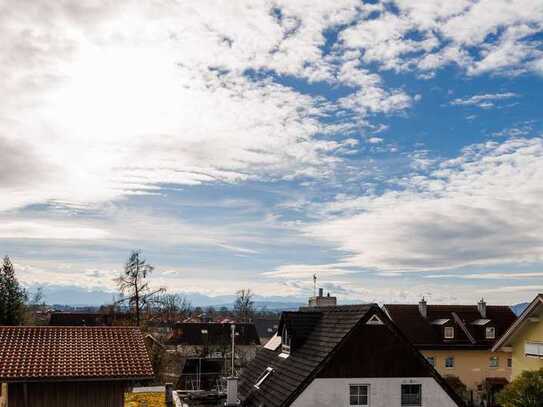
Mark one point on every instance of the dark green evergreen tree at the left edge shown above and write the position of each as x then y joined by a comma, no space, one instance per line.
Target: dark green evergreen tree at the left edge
12,296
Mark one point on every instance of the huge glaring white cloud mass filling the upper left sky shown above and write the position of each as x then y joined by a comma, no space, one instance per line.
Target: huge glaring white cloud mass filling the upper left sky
109,99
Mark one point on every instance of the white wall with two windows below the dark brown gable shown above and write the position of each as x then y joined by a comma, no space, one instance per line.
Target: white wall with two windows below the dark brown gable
384,392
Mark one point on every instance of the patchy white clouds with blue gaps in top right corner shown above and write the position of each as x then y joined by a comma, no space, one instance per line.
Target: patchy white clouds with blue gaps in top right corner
483,36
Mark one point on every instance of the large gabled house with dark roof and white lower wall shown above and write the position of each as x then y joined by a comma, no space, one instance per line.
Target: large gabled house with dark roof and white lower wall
350,355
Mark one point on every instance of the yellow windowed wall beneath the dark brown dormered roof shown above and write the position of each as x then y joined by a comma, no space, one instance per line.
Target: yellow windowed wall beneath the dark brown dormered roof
472,367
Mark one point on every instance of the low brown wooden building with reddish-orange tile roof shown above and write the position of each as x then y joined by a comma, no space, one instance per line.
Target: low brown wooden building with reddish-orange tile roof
71,366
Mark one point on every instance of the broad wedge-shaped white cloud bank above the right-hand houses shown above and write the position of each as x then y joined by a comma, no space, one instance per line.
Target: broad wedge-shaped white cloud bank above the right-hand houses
481,208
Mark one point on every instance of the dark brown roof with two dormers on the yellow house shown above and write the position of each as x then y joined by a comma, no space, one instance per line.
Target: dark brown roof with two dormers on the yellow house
430,326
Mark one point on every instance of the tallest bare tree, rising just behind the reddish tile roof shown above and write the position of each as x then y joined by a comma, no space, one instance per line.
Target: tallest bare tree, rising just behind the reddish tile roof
134,285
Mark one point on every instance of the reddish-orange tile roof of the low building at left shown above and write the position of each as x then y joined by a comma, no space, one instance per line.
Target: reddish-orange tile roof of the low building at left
72,353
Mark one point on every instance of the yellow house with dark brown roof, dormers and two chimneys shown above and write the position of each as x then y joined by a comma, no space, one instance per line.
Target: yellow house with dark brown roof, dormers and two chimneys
458,339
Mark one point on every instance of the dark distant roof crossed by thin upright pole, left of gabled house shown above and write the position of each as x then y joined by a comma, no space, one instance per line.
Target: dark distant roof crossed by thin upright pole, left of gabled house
210,333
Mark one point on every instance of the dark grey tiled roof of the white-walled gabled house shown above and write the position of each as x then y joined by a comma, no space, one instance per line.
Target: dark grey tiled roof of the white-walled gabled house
323,331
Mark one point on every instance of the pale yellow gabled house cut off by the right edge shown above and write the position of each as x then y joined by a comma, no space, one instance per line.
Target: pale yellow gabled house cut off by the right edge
524,339
